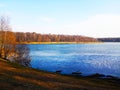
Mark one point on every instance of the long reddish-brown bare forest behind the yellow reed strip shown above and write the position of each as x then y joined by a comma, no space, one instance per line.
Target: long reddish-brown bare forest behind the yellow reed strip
36,37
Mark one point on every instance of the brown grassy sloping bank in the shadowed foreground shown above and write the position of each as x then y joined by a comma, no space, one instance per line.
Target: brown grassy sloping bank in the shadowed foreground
17,77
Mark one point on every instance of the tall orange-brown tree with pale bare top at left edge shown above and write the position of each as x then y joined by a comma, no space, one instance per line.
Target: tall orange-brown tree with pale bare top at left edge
7,38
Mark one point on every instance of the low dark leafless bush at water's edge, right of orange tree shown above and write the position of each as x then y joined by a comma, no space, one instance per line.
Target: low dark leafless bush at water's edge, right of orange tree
22,55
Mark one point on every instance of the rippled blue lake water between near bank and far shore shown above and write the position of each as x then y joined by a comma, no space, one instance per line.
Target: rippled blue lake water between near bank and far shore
86,58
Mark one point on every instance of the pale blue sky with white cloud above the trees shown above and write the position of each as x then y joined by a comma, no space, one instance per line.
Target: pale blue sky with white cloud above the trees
95,18
